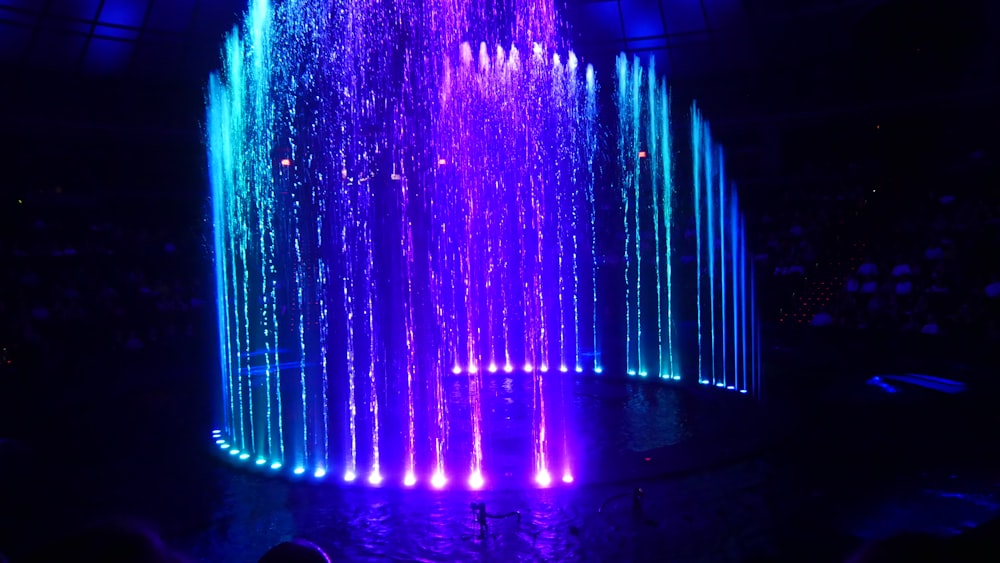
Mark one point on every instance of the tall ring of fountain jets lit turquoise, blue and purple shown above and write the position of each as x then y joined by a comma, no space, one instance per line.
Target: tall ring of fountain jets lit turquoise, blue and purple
406,239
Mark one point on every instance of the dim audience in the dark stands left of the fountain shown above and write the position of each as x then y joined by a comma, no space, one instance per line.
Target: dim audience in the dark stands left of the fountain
97,274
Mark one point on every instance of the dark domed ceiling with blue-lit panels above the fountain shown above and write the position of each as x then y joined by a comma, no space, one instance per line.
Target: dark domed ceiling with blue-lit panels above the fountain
730,42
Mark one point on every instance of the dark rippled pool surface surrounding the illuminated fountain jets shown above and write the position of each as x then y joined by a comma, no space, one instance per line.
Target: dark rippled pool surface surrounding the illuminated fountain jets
727,480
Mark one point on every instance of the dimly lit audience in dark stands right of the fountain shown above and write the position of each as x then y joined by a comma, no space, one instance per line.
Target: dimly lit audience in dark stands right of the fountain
917,261
